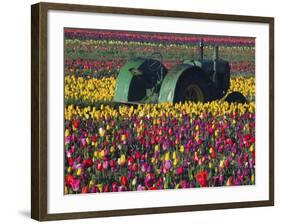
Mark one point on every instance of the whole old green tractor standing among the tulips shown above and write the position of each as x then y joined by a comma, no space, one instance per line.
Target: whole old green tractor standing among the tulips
146,80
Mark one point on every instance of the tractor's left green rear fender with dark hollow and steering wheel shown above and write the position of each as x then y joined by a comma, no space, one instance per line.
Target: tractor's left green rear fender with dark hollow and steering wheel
145,76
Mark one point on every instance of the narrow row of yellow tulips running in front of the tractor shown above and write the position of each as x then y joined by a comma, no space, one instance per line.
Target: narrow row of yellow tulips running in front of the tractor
157,110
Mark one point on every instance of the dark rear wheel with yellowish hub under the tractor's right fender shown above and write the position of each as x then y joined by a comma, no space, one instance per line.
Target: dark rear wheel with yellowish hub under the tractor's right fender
192,88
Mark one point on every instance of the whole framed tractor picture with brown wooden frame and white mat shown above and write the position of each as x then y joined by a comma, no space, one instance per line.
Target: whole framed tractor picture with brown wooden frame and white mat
139,111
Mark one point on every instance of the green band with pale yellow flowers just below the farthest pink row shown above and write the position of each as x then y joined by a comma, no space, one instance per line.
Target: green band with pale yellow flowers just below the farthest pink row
112,50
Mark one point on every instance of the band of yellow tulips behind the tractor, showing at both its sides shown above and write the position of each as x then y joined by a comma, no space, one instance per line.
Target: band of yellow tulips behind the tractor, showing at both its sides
93,89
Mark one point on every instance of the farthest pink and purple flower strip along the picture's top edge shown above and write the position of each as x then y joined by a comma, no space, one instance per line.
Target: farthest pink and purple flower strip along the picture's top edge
83,34
